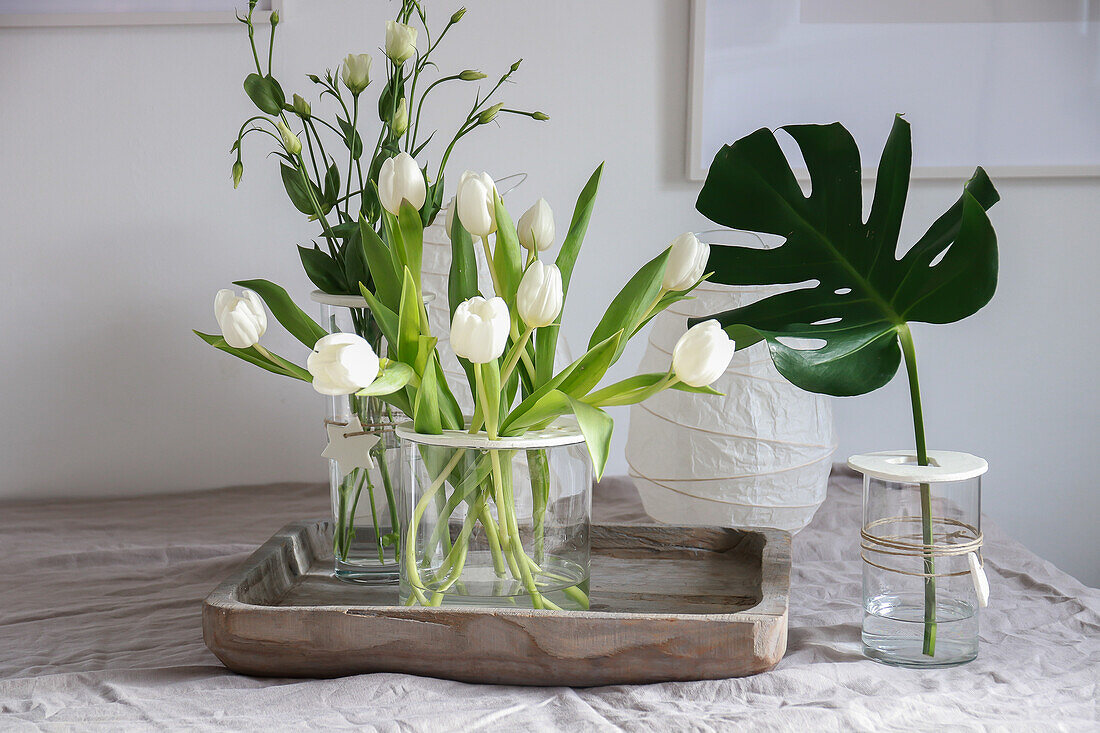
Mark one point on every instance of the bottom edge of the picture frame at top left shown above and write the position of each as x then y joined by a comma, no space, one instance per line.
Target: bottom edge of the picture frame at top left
75,14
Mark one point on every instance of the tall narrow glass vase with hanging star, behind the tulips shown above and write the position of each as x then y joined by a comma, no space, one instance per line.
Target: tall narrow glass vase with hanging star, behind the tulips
365,501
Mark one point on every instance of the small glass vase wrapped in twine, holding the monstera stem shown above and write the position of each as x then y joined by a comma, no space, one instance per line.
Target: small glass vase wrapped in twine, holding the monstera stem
921,546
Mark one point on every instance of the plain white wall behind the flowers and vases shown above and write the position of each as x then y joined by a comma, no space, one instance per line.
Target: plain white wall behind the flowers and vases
120,223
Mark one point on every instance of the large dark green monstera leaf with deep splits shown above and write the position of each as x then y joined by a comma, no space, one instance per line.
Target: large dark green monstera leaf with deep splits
863,296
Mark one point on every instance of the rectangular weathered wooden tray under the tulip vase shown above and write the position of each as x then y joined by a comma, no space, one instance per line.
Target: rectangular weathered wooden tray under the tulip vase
668,604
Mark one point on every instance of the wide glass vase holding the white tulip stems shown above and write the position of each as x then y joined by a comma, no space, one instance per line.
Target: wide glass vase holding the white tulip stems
496,523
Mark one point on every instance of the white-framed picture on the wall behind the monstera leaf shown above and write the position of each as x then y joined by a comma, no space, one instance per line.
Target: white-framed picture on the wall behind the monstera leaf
1053,138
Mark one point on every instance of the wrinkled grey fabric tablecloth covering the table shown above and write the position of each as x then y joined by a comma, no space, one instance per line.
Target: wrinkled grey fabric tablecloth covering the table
101,630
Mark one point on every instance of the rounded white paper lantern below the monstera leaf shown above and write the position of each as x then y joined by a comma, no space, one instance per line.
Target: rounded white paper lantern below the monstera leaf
758,457
